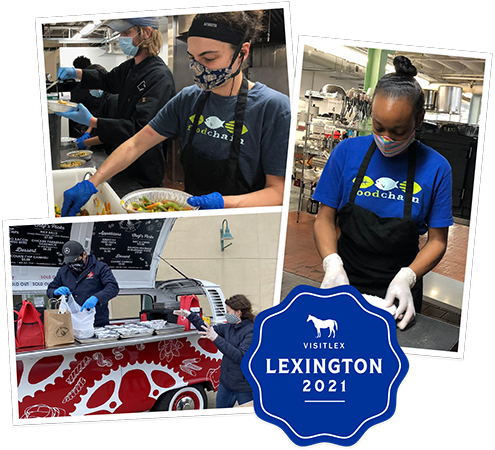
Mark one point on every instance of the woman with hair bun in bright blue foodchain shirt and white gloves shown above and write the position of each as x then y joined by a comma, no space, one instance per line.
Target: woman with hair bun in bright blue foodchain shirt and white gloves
383,200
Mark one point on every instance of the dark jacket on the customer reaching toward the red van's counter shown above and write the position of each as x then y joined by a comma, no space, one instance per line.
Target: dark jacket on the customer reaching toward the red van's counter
233,341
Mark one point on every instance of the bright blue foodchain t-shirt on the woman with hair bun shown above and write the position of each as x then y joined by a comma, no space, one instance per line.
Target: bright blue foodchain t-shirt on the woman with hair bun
384,185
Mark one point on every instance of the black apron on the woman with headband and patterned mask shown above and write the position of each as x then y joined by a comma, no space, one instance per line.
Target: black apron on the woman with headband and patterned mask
203,175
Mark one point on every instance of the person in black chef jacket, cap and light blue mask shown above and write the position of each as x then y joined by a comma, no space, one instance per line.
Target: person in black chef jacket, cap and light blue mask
144,84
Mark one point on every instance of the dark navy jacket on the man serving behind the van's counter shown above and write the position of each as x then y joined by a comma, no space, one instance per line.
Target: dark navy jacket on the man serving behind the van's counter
96,279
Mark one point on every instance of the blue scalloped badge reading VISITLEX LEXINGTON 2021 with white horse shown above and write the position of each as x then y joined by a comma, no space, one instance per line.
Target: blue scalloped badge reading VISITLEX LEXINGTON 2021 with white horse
324,365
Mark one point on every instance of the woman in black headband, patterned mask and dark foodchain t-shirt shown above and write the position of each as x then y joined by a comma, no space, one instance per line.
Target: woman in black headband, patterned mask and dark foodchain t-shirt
234,132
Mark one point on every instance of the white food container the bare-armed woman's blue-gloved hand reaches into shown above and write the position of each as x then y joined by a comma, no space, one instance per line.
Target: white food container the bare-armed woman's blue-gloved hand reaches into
105,201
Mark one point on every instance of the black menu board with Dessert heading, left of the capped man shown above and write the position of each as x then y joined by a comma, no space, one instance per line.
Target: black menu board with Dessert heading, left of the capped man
38,245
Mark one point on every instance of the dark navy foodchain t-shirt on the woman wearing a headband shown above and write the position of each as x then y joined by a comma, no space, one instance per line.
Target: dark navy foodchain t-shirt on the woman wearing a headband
265,134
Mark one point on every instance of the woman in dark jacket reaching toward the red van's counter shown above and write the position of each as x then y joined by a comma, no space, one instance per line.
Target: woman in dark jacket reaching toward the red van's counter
232,339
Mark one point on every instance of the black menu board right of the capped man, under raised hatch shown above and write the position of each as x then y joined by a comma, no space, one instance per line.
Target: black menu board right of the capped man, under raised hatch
126,244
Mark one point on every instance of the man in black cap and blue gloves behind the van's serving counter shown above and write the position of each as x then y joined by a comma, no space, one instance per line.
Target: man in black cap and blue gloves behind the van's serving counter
90,282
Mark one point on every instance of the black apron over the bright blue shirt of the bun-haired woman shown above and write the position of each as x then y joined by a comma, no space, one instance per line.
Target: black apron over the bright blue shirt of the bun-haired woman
373,248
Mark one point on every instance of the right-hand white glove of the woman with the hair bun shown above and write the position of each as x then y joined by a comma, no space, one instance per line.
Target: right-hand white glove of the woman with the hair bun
400,288
